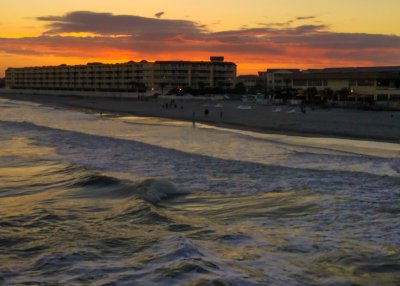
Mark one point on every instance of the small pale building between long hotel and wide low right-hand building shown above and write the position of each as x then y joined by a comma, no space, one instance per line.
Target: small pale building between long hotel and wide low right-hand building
274,79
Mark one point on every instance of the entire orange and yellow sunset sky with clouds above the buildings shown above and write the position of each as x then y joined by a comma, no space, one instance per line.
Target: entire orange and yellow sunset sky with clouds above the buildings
256,34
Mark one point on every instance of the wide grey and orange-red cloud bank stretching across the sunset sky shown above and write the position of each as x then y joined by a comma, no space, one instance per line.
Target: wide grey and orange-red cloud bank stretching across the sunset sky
151,37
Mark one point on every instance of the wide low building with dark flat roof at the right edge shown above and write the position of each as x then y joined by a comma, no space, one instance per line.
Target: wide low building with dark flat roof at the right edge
367,83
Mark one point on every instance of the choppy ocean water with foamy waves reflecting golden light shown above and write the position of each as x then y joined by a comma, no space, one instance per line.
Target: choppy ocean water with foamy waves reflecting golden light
123,200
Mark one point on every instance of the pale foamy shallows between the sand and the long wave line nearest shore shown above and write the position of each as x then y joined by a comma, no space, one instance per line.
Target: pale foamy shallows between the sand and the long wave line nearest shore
272,149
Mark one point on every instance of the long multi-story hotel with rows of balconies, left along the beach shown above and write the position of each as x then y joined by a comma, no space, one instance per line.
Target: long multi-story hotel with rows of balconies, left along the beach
125,76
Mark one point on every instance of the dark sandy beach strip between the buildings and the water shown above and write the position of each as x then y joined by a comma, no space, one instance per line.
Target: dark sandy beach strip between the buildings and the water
339,123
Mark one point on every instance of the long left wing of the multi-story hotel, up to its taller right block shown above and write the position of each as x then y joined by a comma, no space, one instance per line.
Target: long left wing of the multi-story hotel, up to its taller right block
93,76
